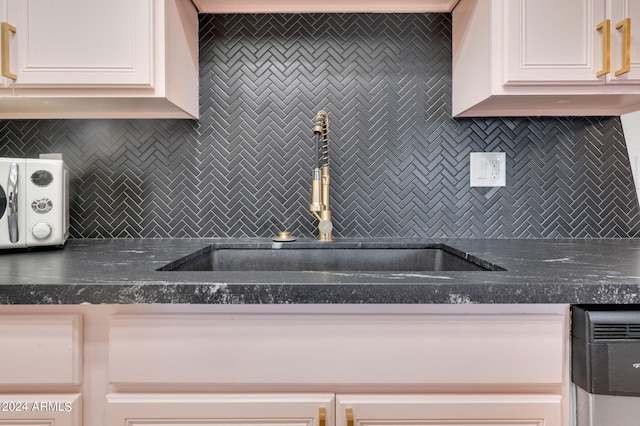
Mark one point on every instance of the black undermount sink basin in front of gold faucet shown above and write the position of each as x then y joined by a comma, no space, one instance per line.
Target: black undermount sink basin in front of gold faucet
330,257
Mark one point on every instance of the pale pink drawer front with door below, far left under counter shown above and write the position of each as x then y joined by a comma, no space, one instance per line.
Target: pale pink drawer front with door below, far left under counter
41,365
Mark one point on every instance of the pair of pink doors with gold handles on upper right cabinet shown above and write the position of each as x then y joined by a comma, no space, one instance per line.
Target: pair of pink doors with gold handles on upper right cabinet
595,46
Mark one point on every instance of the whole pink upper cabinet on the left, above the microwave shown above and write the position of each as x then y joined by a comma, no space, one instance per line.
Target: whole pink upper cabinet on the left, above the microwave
99,59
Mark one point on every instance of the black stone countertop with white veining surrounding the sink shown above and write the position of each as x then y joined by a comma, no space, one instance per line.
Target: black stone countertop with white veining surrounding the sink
123,271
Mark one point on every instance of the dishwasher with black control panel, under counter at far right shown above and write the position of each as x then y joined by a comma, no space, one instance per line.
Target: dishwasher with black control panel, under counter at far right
605,364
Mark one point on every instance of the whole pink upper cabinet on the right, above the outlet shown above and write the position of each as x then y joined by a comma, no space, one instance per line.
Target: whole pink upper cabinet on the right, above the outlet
544,57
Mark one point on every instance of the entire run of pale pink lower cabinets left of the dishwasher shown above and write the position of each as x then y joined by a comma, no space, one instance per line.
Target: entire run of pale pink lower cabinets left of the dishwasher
179,365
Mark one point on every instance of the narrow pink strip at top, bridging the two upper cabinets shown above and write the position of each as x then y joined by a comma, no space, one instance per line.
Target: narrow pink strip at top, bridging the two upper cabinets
333,6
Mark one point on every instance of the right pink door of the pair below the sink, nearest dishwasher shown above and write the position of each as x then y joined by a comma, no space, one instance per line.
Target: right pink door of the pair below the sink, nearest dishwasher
449,409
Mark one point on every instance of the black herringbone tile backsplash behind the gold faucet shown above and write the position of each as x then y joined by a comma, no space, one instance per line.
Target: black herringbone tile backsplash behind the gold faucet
400,163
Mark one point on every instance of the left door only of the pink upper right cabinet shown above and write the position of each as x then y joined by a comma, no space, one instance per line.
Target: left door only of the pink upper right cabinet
552,42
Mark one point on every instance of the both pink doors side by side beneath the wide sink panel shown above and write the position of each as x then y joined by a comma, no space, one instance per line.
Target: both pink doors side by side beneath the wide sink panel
319,409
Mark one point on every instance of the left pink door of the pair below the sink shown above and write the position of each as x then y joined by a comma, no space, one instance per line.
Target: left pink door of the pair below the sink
220,409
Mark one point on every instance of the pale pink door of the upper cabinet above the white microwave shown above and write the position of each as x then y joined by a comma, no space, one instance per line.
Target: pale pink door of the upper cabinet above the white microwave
81,43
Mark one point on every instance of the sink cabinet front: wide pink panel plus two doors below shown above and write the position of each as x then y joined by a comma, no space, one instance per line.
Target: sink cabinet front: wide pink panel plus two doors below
397,369
